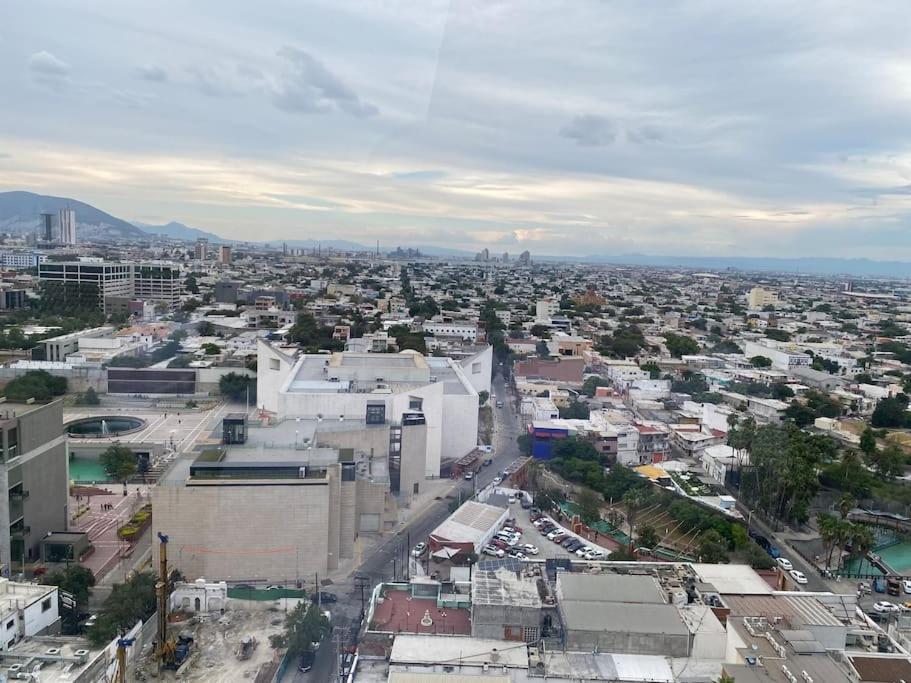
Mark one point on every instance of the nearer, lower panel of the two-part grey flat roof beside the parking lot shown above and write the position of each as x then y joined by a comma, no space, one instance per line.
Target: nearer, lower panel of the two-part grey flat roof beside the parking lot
618,616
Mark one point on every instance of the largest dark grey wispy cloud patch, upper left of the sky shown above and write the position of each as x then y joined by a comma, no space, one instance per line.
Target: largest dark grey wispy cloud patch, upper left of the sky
308,87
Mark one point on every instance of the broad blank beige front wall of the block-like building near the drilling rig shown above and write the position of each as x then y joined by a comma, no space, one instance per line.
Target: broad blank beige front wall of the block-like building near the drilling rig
240,533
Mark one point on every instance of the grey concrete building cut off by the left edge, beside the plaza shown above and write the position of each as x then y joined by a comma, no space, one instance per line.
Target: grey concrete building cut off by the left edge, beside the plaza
34,474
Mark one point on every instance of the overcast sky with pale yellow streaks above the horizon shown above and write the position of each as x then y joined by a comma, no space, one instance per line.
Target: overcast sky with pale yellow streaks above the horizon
578,127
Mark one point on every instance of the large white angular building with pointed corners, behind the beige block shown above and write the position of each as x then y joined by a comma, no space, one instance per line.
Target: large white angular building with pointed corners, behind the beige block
380,386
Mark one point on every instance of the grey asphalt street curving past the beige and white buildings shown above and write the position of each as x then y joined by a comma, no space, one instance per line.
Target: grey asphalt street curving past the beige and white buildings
387,561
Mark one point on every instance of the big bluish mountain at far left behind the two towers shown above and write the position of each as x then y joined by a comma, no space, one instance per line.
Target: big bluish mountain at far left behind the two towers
21,212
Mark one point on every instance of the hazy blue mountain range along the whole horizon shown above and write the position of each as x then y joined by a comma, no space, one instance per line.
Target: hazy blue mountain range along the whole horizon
20,212
